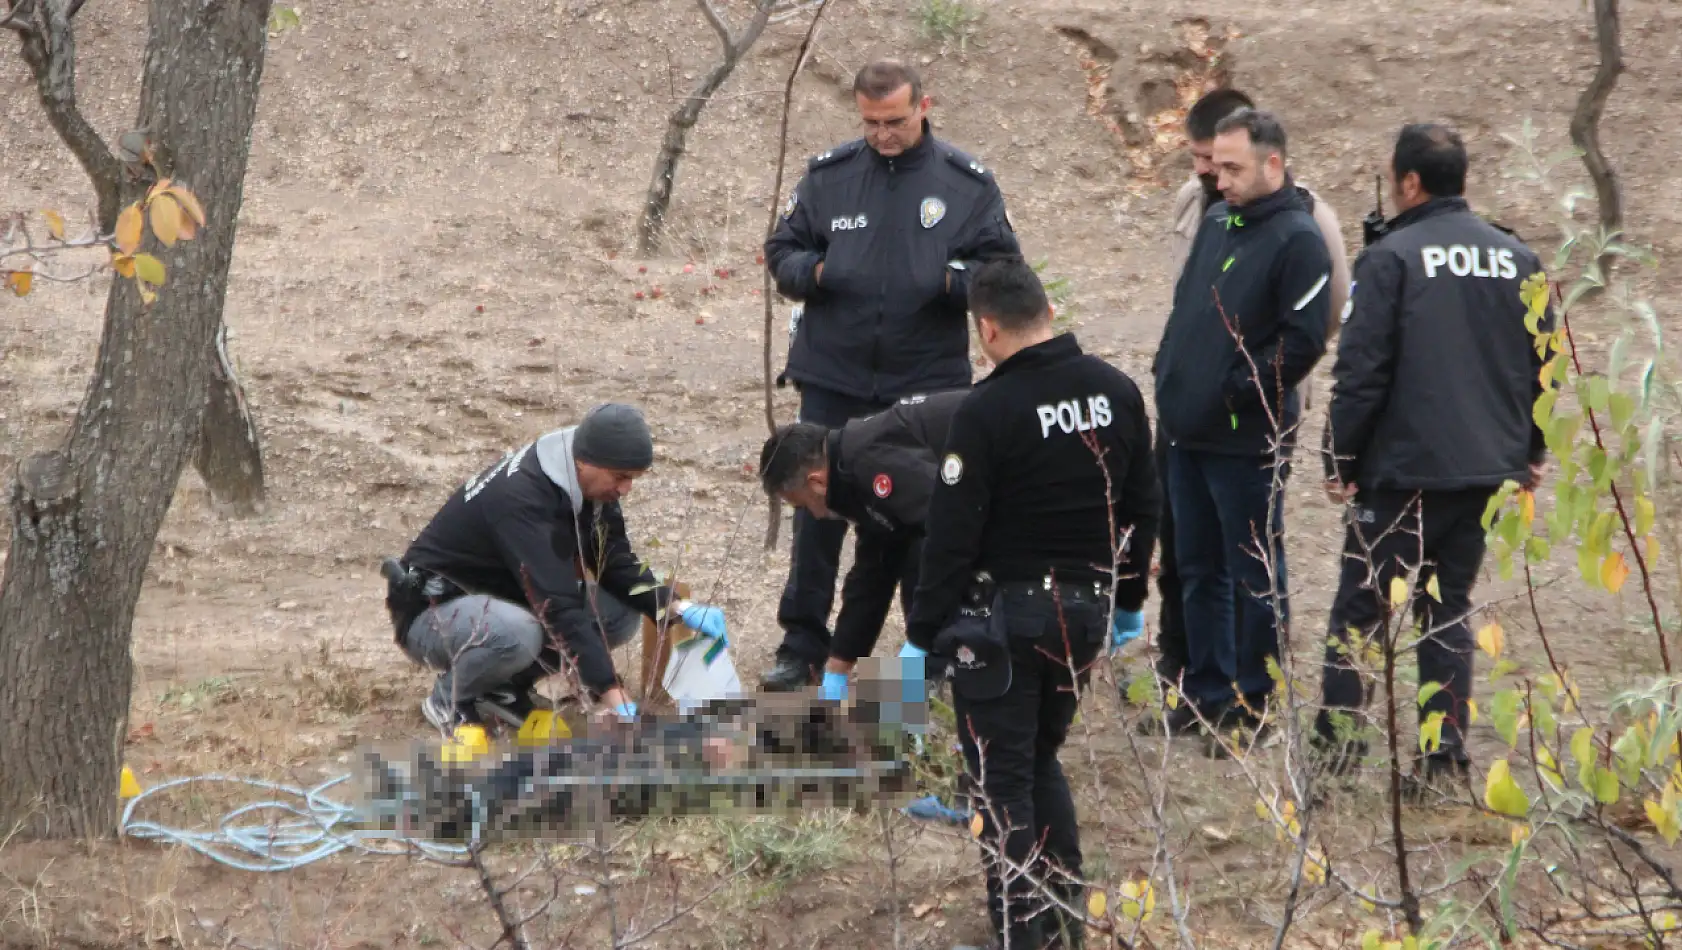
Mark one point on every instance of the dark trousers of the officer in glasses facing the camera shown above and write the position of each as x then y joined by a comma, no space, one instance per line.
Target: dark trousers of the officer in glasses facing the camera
817,547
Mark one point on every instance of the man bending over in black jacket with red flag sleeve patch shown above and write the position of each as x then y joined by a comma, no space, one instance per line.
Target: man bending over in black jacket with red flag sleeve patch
877,473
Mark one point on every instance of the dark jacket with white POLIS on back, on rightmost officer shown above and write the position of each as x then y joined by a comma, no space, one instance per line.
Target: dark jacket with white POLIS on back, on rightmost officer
1437,374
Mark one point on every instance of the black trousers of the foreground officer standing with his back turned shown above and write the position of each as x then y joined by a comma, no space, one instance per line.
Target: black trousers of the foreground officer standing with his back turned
1012,751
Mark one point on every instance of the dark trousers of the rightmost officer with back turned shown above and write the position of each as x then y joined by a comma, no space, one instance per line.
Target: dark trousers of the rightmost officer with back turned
1427,534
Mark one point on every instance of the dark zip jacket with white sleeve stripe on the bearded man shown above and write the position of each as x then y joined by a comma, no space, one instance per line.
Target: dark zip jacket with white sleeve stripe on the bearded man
1262,272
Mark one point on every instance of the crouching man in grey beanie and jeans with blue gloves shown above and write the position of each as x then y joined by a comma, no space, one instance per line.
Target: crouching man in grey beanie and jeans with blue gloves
494,593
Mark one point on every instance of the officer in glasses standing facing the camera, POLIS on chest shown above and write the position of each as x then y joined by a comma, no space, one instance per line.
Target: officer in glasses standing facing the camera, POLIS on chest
877,243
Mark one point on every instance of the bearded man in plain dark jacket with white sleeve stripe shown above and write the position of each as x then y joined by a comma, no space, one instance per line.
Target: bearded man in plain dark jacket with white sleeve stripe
1249,325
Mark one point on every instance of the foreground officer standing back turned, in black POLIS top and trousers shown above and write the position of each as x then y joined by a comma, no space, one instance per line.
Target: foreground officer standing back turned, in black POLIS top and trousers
1017,581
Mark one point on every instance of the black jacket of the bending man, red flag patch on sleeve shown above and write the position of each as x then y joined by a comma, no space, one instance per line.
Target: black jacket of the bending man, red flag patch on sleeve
882,472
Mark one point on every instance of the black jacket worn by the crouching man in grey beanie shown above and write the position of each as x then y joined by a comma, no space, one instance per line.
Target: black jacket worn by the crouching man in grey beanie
510,524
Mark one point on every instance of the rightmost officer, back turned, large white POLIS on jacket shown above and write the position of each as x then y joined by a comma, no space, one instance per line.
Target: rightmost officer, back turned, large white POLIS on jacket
1431,414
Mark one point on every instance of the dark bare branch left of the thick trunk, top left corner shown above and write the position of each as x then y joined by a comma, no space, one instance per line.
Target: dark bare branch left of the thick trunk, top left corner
50,50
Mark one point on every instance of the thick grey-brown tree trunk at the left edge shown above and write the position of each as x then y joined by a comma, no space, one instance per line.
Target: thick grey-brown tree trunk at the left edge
87,515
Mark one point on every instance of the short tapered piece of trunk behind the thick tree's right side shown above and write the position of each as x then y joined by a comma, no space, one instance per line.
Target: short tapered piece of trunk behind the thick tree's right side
230,453
